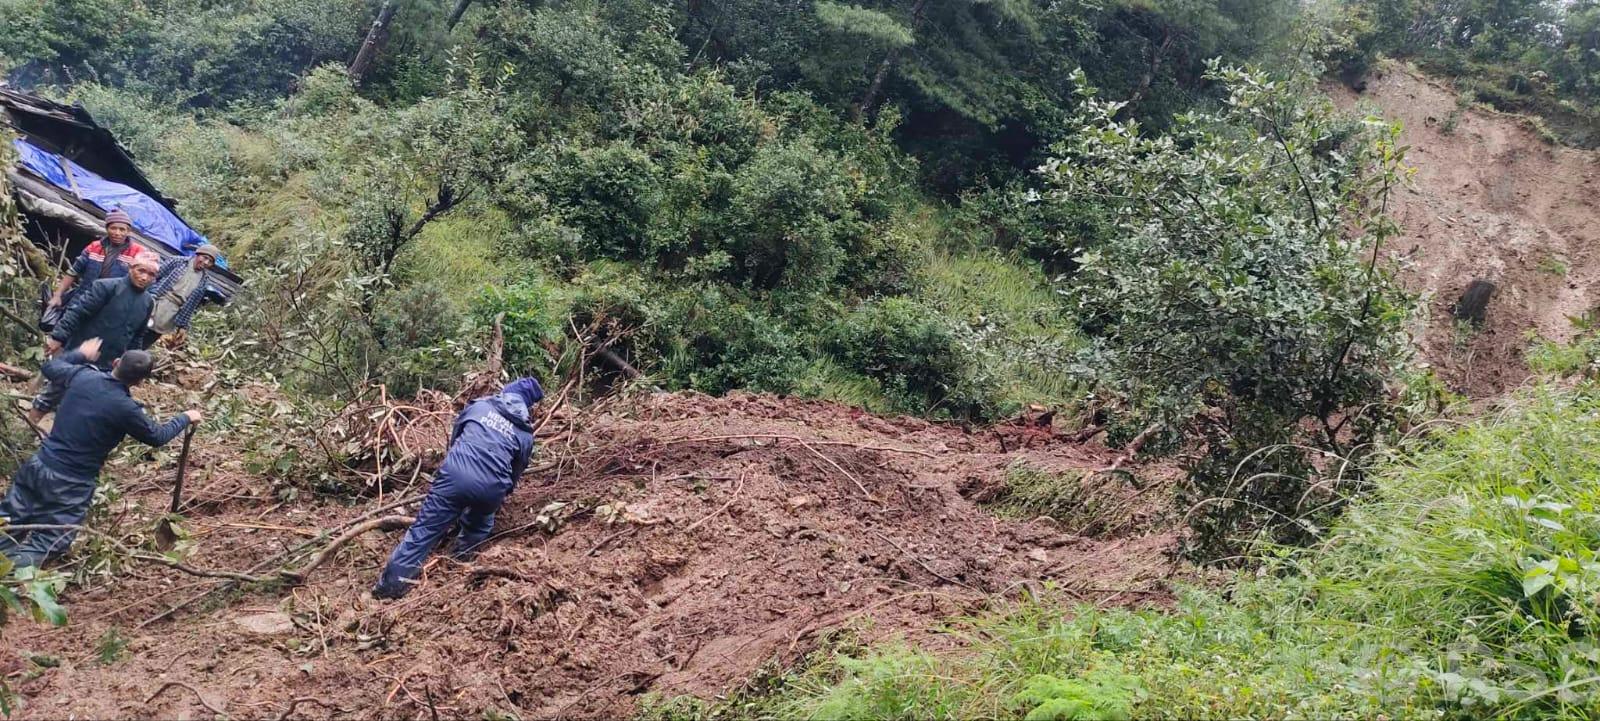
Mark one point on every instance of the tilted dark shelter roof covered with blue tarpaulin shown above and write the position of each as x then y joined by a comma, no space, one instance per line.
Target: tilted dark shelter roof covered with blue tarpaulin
71,172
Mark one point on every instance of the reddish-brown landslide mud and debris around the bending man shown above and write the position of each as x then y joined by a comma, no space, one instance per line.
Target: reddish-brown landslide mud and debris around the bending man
697,549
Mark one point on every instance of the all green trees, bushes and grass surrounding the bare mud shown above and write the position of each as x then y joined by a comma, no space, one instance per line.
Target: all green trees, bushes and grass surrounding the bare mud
913,207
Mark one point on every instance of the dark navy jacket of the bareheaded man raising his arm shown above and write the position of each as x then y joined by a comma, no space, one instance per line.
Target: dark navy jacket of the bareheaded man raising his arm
94,418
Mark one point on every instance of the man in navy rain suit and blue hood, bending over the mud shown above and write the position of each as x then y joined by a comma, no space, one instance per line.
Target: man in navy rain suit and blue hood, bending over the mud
490,447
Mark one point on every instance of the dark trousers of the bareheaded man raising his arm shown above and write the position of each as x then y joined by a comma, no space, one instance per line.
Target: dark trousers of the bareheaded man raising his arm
41,496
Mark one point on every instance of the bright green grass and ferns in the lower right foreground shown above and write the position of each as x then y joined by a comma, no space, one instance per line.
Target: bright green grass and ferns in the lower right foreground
1465,588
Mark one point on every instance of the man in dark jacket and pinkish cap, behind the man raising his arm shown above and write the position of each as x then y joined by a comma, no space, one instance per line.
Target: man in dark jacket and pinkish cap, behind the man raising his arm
114,311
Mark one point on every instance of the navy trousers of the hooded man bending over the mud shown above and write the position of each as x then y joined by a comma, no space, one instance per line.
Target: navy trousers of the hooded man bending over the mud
450,503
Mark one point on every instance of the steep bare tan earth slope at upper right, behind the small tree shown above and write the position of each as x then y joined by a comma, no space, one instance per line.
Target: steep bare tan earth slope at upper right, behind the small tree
1492,202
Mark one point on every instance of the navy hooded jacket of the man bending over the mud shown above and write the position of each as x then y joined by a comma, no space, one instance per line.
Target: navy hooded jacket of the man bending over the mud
490,445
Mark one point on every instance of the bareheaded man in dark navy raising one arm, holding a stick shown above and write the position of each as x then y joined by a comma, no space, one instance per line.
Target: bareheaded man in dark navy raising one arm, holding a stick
57,485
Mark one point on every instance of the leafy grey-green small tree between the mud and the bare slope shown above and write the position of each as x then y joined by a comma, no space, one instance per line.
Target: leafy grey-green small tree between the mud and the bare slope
1244,303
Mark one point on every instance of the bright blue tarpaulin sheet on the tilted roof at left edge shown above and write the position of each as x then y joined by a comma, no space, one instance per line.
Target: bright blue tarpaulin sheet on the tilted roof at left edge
151,218
